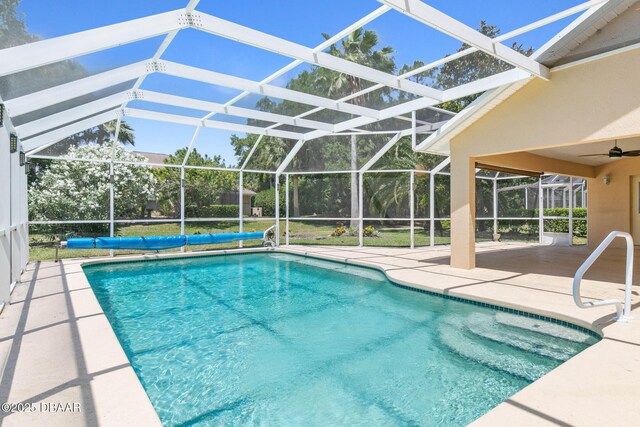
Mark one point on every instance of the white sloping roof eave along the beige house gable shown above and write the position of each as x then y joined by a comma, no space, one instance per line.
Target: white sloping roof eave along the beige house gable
557,51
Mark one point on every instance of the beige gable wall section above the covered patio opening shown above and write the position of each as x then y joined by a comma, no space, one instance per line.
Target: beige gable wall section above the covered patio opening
596,101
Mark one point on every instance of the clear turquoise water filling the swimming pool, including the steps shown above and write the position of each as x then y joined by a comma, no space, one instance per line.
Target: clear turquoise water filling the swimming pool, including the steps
277,339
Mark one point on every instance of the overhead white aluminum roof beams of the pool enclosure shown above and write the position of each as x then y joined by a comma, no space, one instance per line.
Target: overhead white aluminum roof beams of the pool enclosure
48,51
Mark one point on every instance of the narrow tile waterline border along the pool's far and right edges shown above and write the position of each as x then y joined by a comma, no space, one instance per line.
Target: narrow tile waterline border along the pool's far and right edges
549,319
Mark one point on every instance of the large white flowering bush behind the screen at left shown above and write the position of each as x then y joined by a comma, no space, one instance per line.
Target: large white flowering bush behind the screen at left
79,190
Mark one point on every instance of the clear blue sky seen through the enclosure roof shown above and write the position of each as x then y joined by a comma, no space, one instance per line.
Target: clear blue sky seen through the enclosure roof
299,21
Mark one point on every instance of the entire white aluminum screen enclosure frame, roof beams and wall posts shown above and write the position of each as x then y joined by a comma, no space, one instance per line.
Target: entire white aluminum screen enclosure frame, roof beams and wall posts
39,134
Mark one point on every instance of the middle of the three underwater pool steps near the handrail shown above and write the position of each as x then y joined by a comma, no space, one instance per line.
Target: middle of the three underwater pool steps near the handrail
522,339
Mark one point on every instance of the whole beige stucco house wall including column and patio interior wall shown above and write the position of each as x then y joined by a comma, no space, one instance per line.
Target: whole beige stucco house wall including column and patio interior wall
592,102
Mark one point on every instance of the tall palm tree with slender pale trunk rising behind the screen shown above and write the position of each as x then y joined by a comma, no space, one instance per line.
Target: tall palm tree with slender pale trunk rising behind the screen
358,47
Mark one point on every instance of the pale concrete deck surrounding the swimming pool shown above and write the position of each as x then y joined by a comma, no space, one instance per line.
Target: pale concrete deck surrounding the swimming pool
57,347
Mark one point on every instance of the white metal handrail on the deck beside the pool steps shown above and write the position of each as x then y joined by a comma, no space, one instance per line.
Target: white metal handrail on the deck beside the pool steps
621,316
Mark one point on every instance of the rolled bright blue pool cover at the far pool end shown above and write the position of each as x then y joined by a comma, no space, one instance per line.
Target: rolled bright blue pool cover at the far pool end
156,243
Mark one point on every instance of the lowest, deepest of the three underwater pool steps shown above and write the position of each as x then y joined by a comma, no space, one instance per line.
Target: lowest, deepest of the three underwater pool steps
459,340
